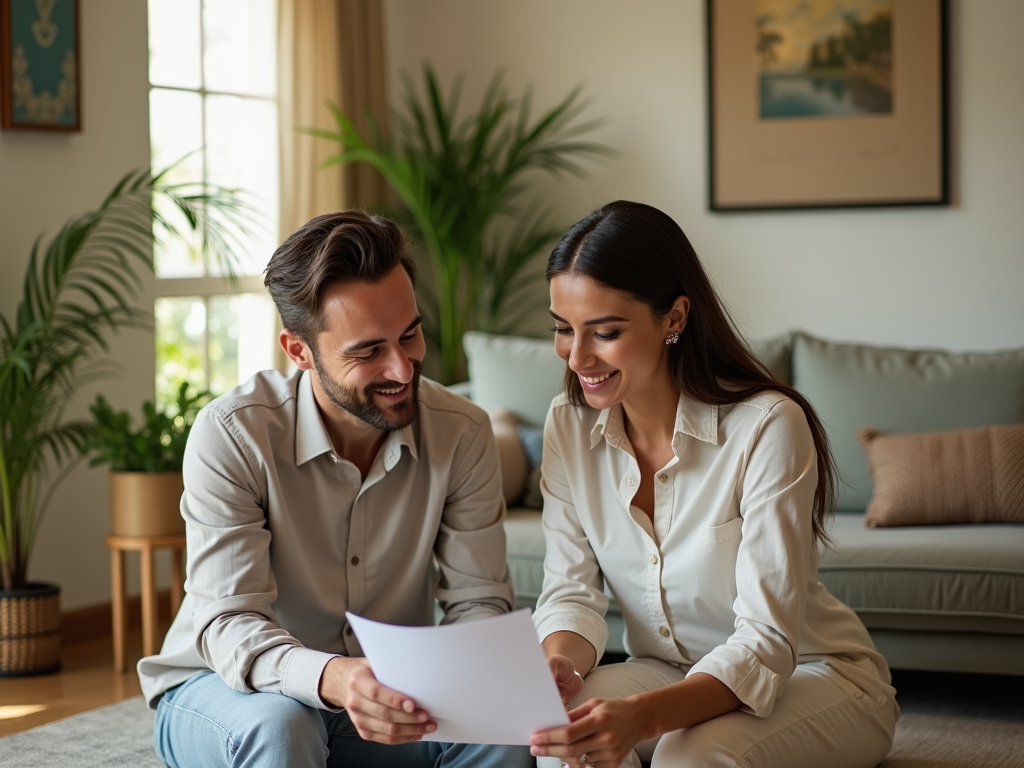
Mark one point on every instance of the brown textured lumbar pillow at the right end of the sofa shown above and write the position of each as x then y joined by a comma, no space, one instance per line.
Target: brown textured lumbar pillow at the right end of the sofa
965,476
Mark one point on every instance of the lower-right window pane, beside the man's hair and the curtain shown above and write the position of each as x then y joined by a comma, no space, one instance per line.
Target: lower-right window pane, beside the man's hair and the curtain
241,329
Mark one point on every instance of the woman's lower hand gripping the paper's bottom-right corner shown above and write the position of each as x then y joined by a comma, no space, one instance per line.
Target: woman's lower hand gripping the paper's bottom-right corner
603,734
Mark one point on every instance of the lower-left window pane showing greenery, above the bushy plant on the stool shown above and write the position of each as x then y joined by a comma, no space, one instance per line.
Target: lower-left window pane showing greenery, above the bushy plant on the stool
181,334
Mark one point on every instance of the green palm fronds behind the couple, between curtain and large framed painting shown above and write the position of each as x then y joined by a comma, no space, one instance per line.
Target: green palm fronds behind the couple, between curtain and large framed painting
463,187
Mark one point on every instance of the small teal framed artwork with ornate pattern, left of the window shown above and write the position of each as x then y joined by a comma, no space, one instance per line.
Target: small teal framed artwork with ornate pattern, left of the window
40,81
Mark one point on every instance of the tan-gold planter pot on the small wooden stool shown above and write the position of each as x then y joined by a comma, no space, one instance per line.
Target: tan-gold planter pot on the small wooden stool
147,504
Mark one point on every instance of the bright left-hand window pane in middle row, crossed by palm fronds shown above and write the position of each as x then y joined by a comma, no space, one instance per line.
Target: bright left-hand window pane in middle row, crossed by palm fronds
177,131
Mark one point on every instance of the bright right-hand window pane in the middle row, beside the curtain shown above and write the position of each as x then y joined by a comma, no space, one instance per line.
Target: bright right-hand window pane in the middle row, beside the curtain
242,153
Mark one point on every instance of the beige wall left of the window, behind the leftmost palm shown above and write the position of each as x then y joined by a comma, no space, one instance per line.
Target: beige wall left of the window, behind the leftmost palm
47,179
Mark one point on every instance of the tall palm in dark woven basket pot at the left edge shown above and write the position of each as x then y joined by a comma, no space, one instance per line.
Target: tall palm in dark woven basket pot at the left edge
78,290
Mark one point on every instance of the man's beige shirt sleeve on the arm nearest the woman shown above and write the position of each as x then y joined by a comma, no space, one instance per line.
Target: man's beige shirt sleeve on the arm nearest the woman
471,546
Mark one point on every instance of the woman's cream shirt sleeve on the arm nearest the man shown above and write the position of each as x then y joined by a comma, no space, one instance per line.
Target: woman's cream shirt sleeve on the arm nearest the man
573,599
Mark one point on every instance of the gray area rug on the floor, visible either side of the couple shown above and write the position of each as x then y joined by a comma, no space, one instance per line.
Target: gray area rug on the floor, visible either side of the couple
949,721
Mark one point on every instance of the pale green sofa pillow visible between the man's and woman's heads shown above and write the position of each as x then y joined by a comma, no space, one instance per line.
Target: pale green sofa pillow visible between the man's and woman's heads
520,374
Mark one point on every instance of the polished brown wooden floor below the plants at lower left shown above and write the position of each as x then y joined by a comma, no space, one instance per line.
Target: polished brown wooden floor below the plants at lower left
87,680
